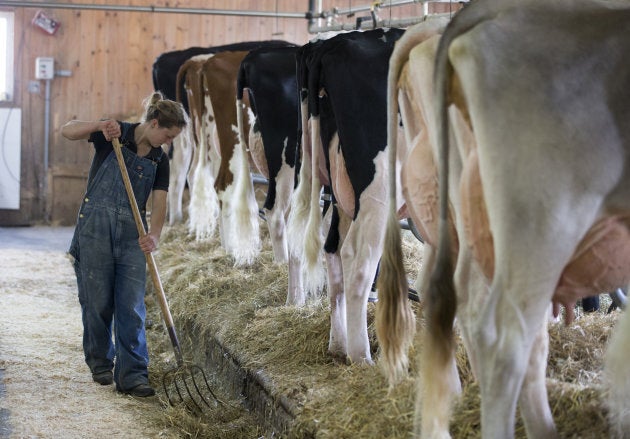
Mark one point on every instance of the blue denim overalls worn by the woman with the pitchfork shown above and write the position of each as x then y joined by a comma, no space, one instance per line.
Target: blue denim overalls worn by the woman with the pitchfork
111,271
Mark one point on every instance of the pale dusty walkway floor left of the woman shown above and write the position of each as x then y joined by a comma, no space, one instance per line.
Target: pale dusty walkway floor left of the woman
47,390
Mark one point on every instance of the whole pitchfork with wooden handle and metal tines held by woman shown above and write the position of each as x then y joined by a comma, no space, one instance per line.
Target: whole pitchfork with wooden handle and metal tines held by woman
183,376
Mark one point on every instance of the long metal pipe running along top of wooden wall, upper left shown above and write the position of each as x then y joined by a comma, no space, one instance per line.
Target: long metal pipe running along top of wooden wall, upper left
153,9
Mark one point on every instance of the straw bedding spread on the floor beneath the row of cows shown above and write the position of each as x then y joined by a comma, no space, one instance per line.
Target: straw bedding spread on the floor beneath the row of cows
243,308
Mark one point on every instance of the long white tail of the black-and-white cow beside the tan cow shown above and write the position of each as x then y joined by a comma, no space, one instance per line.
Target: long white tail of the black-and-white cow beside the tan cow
314,275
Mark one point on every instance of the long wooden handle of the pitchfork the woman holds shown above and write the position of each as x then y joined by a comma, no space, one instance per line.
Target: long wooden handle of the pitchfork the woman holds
155,277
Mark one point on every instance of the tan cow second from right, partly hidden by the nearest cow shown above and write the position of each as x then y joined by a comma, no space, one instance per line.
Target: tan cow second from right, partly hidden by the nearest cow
410,84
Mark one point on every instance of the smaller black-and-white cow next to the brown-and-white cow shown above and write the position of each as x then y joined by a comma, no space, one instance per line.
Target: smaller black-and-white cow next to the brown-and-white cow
269,77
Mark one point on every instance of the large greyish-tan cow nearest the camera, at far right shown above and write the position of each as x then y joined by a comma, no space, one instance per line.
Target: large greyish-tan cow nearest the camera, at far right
545,89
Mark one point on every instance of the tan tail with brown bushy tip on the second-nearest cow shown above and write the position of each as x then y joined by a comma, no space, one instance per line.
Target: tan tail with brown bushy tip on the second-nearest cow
395,320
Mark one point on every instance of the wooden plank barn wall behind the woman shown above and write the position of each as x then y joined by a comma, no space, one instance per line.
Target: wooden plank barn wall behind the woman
110,55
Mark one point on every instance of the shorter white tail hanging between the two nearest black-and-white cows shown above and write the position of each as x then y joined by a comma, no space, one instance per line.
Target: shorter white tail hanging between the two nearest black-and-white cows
300,199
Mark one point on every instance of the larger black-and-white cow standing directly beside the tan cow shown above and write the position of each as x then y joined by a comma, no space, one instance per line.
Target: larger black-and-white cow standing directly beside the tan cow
347,76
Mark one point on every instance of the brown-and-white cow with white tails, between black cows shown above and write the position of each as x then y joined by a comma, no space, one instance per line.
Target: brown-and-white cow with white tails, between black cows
210,82
